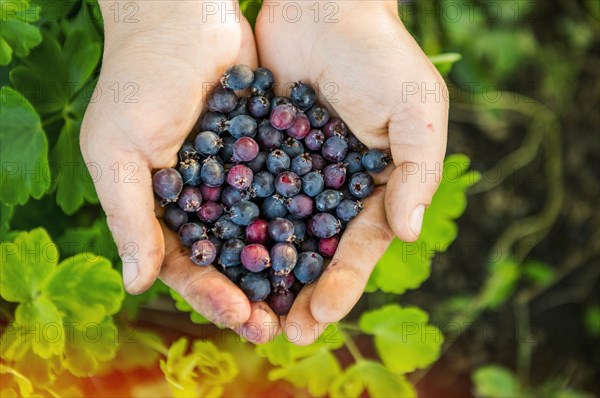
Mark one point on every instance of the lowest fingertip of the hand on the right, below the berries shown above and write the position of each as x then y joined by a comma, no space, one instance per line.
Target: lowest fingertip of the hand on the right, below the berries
300,327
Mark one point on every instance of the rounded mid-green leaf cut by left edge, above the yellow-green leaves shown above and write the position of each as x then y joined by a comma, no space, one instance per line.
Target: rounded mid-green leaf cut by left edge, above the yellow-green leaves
25,161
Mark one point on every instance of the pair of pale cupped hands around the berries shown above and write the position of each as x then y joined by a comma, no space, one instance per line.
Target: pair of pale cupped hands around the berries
175,50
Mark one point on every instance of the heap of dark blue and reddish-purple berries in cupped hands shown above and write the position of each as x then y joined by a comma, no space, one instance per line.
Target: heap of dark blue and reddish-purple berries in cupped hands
267,187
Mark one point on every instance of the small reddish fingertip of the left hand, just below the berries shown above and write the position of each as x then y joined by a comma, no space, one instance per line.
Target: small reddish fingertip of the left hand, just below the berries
263,325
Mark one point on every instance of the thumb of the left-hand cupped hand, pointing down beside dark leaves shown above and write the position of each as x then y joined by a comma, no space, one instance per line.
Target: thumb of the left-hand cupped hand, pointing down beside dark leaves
124,186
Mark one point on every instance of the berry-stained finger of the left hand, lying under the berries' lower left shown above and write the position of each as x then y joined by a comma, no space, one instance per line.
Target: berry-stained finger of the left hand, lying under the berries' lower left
207,290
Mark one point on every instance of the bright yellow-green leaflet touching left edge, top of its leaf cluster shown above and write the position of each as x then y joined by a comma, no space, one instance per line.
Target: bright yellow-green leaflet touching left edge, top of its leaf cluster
27,262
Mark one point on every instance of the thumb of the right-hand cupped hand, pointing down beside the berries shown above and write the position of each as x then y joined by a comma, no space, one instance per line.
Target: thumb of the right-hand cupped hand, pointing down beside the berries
417,136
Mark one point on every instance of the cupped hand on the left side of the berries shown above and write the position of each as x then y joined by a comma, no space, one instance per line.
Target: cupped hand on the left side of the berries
155,73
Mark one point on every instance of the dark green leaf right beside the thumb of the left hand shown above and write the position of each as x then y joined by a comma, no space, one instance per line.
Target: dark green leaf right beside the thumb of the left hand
73,183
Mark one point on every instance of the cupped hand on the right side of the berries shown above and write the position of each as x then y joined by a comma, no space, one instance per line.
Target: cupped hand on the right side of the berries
370,71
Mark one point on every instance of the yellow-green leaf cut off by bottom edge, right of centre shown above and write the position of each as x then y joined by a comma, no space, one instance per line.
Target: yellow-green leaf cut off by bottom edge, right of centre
373,378
